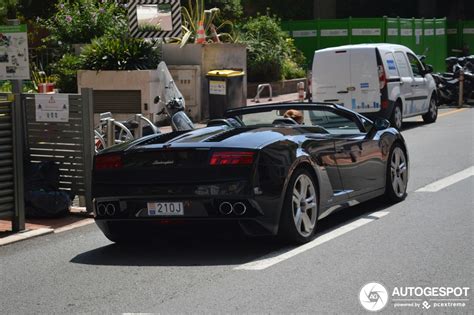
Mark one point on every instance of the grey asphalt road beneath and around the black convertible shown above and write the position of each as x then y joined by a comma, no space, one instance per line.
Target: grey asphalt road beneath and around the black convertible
425,241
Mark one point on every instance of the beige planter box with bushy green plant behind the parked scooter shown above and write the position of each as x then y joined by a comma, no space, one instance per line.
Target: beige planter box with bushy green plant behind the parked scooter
119,68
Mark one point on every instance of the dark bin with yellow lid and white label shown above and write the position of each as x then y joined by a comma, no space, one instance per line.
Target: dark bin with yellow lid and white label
226,90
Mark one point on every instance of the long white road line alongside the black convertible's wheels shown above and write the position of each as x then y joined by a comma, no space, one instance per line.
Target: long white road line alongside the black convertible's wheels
279,256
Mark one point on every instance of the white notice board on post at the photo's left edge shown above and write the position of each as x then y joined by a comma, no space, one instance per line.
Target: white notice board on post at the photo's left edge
14,64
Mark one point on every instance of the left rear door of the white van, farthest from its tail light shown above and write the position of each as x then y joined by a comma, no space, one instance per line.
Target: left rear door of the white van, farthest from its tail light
331,77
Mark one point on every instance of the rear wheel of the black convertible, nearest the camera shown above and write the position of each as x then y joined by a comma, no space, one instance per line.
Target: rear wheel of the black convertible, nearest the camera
300,208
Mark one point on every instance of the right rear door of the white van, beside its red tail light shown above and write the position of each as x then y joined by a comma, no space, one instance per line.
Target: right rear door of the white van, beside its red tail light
365,83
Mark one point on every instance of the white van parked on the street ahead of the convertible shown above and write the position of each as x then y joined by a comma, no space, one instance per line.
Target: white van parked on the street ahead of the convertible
383,80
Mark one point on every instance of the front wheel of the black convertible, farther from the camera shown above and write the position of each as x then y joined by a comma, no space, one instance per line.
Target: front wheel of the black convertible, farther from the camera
397,175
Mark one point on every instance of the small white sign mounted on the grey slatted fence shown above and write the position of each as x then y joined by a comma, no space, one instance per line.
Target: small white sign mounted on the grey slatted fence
52,107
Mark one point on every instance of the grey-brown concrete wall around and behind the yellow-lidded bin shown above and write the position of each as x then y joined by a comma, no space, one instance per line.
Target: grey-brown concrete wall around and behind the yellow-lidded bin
208,57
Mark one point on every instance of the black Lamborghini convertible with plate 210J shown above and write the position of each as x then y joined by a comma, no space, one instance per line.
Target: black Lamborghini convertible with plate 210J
255,168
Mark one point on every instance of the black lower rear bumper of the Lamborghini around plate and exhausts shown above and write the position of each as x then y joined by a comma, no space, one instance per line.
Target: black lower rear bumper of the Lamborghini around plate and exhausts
131,215
